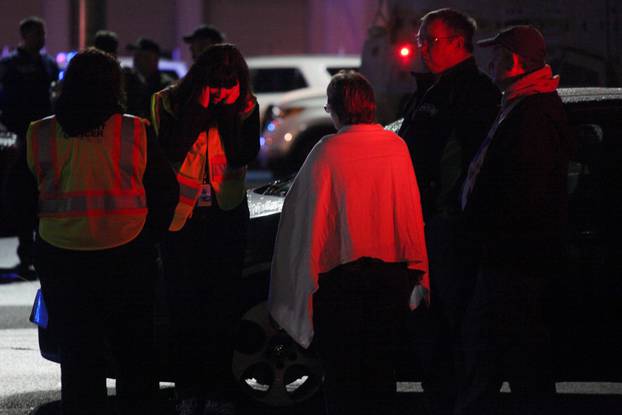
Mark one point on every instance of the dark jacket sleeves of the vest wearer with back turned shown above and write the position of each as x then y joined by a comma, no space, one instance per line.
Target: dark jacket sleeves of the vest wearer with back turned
161,189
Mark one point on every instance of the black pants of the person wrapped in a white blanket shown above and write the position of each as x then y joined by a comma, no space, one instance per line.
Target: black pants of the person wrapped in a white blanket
357,312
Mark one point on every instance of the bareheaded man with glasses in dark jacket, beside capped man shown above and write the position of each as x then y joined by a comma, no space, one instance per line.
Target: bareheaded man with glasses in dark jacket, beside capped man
443,127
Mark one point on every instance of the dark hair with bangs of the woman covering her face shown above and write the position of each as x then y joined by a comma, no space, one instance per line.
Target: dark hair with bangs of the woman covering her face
219,65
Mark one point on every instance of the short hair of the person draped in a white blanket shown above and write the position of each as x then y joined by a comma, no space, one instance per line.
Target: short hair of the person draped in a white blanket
351,97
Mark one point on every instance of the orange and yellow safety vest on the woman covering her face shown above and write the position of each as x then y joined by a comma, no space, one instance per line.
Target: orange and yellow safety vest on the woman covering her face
227,182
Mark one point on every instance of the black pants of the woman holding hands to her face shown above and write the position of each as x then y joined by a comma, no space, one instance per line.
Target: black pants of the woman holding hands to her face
203,270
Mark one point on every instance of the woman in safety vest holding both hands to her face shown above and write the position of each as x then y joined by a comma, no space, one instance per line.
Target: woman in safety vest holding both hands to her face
208,126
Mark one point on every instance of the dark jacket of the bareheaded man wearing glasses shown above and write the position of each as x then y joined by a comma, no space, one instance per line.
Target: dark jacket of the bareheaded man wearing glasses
443,128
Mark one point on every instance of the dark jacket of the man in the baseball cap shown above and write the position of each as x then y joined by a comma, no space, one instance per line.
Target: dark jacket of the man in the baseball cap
518,206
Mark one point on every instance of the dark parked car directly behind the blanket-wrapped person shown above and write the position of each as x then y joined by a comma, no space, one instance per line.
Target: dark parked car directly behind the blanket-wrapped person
583,311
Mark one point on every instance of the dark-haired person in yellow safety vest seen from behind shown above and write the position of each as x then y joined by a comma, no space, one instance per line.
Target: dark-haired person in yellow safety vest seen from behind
104,193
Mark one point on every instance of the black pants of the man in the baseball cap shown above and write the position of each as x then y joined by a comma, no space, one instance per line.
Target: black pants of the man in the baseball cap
505,335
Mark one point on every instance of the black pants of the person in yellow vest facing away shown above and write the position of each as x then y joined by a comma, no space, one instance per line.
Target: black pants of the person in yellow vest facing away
101,305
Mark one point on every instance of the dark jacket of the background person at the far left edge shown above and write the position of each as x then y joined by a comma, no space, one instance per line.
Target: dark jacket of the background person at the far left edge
25,90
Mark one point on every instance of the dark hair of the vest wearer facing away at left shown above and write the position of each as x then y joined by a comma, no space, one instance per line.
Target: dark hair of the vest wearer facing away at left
91,92
